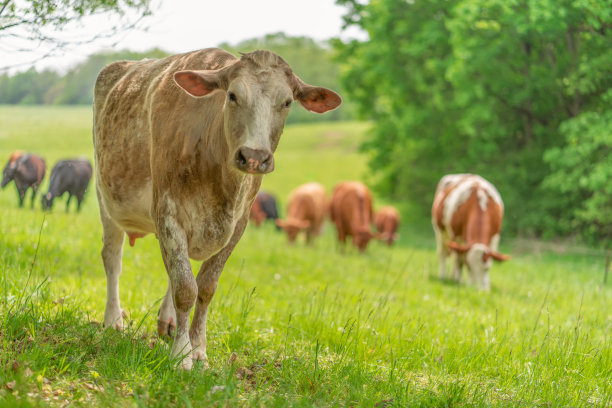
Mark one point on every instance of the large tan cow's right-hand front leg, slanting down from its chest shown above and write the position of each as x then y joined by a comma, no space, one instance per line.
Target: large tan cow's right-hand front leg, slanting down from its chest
207,284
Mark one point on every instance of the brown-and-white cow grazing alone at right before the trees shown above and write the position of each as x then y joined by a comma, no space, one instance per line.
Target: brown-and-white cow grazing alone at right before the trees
467,215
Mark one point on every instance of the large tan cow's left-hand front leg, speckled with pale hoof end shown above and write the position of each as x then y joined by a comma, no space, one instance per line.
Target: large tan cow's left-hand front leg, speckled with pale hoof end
174,249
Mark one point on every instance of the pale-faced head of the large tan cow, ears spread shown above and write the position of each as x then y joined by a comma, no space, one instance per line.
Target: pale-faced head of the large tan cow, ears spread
260,89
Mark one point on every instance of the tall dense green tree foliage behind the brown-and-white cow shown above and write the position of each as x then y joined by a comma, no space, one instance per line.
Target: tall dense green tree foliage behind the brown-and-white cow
482,86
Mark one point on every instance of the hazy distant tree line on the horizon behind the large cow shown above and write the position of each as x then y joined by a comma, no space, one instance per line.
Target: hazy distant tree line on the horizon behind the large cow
313,61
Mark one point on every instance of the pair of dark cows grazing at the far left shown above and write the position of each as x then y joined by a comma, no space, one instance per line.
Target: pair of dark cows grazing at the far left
27,170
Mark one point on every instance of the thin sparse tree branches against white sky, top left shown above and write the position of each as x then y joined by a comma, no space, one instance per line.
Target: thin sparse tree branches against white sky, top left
26,24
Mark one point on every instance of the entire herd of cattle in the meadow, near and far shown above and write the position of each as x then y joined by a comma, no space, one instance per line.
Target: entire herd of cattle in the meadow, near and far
181,145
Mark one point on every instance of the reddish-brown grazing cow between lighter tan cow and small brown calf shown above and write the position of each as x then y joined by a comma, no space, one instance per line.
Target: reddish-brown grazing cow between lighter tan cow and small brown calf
351,212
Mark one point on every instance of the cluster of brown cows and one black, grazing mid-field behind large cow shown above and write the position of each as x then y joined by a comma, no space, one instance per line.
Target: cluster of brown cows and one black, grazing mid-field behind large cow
350,209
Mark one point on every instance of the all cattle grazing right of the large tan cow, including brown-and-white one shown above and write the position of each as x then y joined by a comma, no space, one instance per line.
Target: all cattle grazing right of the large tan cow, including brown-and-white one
467,215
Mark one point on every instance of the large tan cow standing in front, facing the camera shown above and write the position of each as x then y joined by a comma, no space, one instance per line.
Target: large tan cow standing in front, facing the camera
181,145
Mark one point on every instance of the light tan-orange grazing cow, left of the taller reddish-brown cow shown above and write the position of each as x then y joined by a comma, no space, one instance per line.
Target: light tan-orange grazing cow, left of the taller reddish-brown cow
305,212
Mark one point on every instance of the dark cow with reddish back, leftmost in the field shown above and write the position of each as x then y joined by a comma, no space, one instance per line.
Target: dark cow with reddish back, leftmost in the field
28,170
